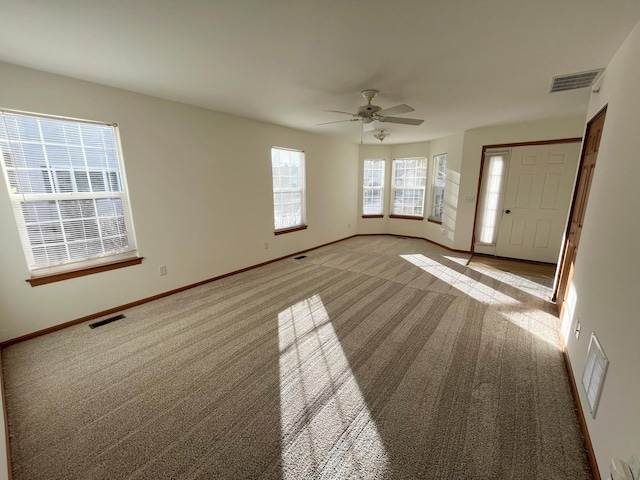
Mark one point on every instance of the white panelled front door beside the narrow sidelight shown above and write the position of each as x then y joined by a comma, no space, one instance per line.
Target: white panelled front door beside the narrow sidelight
536,201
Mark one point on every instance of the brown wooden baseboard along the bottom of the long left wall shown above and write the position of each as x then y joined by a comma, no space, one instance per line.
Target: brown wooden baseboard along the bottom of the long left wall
109,311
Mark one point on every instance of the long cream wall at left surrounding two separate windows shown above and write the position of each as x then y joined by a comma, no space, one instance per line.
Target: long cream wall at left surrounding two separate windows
200,187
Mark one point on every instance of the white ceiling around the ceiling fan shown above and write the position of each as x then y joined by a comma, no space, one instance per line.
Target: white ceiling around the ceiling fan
460,63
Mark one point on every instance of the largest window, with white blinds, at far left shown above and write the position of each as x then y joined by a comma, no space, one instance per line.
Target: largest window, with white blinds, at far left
68,191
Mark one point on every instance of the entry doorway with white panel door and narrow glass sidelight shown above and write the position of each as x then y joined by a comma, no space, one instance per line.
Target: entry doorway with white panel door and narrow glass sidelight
524,197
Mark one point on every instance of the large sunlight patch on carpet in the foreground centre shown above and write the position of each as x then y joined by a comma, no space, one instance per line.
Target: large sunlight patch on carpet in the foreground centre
327,429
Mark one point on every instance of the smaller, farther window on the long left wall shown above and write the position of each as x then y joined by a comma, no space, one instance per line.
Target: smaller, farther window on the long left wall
288,188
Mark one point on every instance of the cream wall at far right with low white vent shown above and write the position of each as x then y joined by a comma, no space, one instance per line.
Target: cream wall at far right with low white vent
607,269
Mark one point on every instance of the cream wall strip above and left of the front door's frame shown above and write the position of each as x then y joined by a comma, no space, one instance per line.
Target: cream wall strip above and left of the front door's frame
475,139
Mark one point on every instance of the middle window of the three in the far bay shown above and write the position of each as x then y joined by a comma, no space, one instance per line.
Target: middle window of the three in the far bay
409,179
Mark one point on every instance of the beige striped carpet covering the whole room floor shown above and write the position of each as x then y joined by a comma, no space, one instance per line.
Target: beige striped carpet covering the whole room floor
373,358
